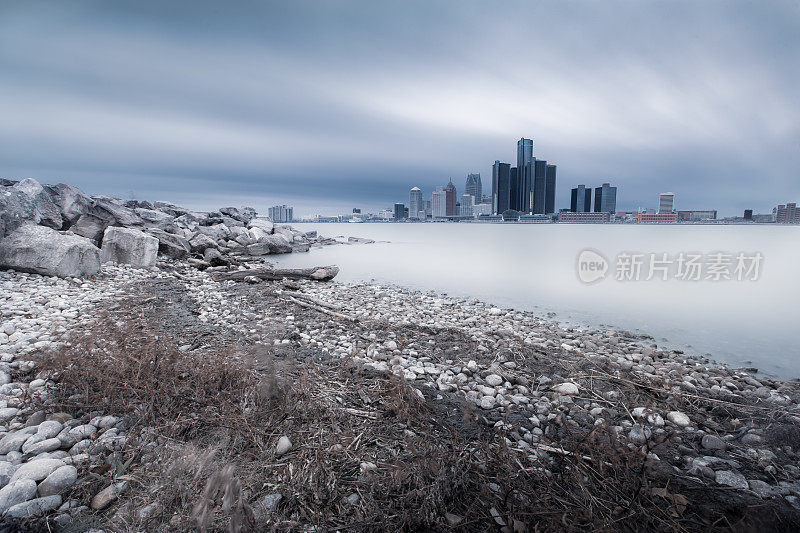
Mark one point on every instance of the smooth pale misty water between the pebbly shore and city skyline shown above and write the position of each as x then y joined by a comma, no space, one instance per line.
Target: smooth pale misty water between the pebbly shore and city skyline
533,267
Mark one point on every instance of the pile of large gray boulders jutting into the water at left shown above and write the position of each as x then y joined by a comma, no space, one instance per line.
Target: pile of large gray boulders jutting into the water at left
58,230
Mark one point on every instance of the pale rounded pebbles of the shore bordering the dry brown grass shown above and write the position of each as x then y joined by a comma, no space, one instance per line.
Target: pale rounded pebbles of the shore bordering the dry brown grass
526,377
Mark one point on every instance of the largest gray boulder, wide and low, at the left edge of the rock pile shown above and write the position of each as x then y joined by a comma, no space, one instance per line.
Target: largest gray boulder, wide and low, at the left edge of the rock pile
45,251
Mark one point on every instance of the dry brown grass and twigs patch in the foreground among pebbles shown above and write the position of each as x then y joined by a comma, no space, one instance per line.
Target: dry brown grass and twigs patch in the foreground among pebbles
203,427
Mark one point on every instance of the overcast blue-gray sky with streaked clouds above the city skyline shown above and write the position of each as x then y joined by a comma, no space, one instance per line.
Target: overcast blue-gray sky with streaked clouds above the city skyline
330,105
